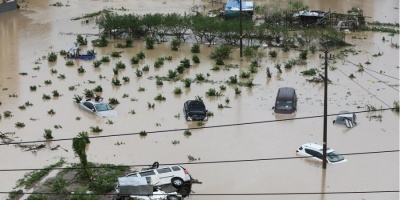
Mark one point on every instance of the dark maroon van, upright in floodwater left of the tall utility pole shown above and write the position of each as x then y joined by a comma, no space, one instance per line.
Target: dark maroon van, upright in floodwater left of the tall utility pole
286,101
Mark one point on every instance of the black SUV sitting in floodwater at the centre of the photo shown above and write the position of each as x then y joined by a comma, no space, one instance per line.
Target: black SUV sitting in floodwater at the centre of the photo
195,110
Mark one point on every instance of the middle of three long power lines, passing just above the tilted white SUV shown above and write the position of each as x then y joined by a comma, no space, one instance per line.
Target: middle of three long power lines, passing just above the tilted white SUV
204,162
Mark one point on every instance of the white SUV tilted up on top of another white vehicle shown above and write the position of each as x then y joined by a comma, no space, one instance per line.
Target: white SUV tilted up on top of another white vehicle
176,175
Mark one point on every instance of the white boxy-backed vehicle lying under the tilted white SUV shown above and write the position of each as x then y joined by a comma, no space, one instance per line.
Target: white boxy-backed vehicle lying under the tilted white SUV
138,188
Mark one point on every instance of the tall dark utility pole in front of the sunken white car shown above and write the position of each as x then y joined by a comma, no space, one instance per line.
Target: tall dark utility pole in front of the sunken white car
325,106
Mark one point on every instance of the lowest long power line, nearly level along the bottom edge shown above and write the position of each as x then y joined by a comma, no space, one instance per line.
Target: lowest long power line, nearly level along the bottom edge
221,194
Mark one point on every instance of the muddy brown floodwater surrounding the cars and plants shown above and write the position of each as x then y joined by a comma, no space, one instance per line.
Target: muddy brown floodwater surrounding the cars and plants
37,29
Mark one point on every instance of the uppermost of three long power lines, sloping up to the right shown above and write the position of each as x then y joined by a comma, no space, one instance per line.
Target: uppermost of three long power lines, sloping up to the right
183,129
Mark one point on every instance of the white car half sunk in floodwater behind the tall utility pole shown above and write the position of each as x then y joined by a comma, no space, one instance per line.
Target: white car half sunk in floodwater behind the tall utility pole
316,152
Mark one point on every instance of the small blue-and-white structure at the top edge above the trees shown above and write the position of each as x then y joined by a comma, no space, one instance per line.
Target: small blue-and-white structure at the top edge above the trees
232,8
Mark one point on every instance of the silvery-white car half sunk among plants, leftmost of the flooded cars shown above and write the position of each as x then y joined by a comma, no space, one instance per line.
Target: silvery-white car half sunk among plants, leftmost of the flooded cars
99,108
